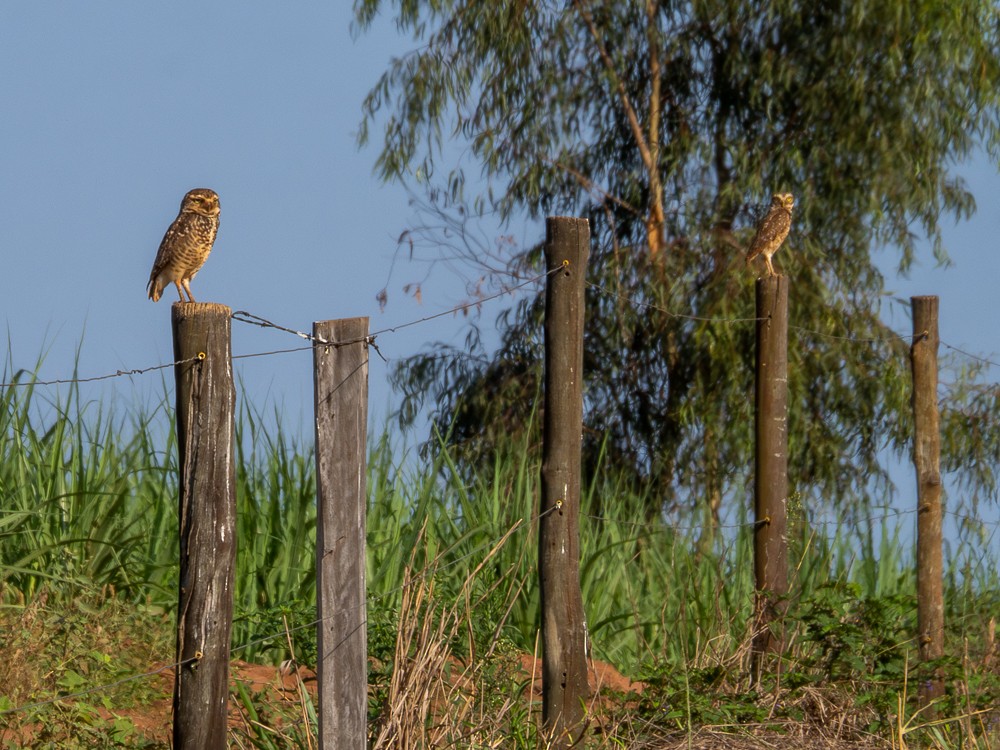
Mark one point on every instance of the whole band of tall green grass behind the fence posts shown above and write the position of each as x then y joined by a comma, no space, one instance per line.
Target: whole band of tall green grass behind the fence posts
88,504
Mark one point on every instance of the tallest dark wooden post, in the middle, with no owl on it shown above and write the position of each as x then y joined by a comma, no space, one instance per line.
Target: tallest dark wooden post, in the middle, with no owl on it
564,629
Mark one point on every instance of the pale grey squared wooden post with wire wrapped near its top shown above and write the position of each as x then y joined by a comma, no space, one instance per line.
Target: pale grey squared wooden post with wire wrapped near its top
341,404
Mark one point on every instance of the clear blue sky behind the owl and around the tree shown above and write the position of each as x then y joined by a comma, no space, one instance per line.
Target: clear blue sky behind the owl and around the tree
113,110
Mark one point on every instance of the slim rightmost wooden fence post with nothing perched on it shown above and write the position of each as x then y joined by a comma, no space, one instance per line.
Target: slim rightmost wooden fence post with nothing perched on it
927,461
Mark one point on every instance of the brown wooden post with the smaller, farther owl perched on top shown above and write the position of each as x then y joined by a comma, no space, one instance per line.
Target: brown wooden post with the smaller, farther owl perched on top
771,465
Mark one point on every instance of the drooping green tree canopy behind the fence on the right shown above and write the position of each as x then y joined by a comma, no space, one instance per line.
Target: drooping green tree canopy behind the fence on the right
669,124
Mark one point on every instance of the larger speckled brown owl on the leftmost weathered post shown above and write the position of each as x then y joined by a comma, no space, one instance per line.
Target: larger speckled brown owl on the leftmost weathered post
186,245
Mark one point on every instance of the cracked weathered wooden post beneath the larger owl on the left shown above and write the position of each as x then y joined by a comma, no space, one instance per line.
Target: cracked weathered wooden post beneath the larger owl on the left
206,402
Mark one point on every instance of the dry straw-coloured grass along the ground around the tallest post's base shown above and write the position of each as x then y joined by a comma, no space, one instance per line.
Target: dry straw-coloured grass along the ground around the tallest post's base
487,699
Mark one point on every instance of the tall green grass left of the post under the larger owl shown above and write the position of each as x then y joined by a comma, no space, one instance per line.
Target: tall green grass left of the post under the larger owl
85,497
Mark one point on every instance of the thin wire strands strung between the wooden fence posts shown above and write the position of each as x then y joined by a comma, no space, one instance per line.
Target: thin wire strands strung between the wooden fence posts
24,378
